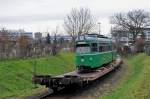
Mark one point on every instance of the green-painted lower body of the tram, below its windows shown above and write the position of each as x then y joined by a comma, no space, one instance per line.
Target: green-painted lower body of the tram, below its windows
95,60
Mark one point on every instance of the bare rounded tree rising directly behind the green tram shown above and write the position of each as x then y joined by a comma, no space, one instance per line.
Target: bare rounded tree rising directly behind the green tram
78,22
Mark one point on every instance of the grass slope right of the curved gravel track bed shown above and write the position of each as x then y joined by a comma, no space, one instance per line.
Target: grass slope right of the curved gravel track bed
135,84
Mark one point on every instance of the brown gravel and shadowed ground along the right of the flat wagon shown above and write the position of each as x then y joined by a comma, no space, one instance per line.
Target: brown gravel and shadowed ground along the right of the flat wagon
94,90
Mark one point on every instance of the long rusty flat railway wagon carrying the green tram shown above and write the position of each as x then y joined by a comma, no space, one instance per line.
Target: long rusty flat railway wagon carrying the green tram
74,77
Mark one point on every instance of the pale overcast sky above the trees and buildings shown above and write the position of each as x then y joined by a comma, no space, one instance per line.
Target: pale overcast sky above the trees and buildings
46,15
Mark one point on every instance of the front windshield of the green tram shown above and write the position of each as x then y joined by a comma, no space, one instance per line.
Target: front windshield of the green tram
82,48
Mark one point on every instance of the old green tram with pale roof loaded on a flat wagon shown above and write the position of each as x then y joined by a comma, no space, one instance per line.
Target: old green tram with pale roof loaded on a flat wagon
94,51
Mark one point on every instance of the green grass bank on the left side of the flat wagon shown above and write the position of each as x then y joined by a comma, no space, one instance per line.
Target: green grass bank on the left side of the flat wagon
16,75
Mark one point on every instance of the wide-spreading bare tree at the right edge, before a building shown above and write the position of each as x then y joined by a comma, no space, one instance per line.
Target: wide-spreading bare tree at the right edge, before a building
134,21
